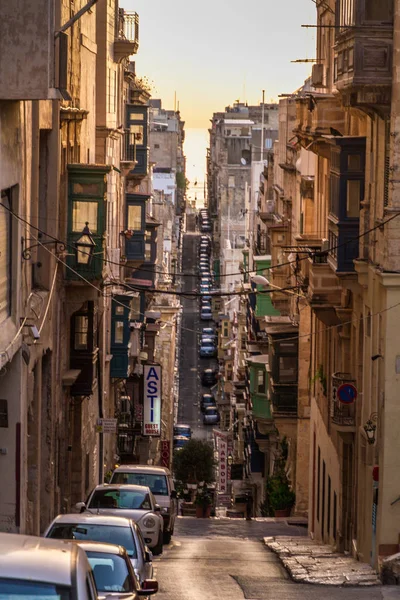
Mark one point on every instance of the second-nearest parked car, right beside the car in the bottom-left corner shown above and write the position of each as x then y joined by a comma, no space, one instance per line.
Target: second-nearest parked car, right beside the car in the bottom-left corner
114,574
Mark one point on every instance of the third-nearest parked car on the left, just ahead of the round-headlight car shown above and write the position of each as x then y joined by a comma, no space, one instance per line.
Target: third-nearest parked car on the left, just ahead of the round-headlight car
109,529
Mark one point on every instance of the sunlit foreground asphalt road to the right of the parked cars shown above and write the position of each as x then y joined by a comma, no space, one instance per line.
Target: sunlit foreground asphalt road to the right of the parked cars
225,559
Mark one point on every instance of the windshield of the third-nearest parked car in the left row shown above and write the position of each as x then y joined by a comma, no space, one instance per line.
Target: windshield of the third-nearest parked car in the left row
91,532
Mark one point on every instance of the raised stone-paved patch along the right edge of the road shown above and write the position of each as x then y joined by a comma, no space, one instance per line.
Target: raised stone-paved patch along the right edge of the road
309,562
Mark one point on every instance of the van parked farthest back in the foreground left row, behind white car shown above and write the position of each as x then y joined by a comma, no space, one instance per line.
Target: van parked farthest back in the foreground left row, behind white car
160,482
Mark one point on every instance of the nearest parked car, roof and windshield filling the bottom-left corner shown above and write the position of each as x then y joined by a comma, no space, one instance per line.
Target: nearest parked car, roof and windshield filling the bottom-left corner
32,567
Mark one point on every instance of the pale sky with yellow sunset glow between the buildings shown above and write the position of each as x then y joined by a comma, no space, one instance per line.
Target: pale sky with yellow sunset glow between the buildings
213,52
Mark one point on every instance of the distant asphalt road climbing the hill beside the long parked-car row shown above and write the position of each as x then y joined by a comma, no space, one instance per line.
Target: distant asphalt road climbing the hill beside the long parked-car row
190,364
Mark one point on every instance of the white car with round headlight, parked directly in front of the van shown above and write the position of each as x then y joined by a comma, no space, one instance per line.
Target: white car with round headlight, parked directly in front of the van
135,502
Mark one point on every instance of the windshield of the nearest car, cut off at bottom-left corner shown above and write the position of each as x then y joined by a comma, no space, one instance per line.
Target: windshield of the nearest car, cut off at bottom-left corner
21,589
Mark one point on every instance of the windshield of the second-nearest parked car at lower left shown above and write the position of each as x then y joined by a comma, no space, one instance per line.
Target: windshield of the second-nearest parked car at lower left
110,572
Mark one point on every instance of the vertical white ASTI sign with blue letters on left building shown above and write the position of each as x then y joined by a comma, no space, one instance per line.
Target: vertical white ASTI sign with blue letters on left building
152,400
